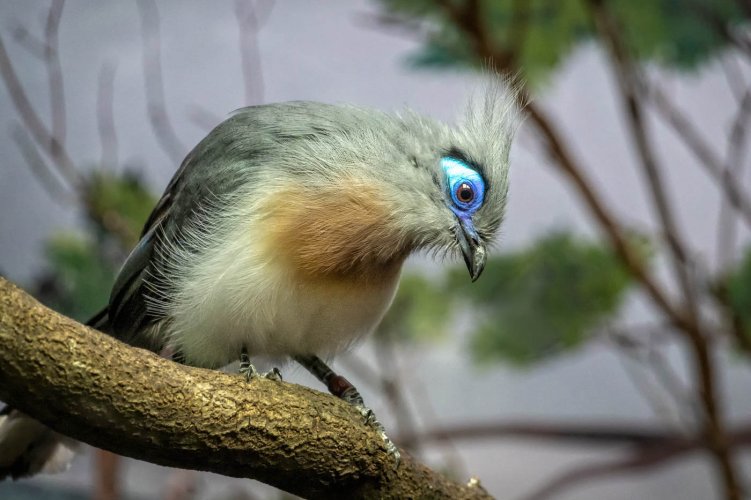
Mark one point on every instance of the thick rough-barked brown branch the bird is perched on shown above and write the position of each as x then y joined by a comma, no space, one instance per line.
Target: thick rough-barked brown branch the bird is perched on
94,388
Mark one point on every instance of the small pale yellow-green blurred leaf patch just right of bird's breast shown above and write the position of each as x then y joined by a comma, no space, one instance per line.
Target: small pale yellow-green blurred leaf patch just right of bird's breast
421,310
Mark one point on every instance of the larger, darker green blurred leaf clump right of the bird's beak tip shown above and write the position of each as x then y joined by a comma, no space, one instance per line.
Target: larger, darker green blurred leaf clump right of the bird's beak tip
543,300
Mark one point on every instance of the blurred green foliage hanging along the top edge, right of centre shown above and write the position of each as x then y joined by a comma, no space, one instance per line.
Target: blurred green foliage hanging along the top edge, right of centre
537,35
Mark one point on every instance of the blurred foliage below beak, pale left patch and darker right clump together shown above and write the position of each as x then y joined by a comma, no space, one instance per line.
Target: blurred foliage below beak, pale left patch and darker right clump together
529,305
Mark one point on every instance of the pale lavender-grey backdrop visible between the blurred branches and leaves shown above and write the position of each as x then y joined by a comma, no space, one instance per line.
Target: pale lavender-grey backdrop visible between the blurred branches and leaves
327,52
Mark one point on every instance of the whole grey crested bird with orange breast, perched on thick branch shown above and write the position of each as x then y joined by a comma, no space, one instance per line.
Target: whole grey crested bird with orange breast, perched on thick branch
283,235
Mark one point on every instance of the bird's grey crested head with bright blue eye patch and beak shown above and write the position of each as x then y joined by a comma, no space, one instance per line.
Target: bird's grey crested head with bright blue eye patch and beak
448,185
